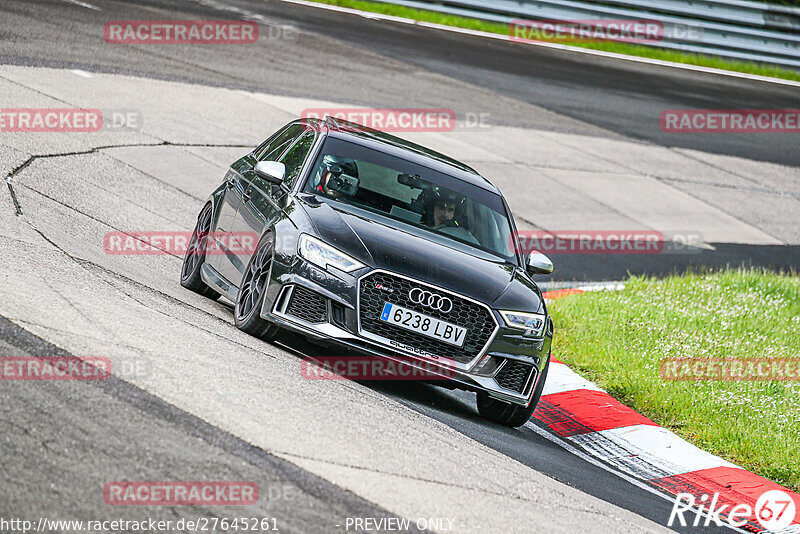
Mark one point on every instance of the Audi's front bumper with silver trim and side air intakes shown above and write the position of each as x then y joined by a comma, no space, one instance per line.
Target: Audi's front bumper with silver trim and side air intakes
328,311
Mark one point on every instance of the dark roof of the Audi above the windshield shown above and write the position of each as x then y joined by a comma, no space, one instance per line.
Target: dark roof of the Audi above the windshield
401,148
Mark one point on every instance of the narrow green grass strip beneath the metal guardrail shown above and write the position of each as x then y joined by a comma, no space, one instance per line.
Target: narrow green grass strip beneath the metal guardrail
620,48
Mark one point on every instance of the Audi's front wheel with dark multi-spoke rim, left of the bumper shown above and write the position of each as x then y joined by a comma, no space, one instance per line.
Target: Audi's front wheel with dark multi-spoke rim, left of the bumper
252,290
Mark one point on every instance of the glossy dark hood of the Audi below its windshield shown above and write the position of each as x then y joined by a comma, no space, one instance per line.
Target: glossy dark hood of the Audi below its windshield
385,246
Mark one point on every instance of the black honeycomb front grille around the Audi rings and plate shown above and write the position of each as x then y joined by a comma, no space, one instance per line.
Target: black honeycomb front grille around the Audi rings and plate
475,318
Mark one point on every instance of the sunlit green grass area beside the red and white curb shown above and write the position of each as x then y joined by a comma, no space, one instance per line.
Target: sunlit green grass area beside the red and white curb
617,339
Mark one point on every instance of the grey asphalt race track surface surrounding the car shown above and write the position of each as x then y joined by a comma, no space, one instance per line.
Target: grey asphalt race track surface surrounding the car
572,140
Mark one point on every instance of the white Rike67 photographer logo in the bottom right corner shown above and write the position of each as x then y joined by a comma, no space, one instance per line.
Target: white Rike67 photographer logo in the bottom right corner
774,510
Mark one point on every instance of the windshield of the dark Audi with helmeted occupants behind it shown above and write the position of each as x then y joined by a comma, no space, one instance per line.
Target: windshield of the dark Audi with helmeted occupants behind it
412,194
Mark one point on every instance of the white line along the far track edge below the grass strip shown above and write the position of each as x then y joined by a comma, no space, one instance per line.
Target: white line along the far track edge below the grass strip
578,50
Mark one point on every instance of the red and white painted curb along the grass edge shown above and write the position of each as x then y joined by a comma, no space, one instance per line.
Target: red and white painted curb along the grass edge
590,419
